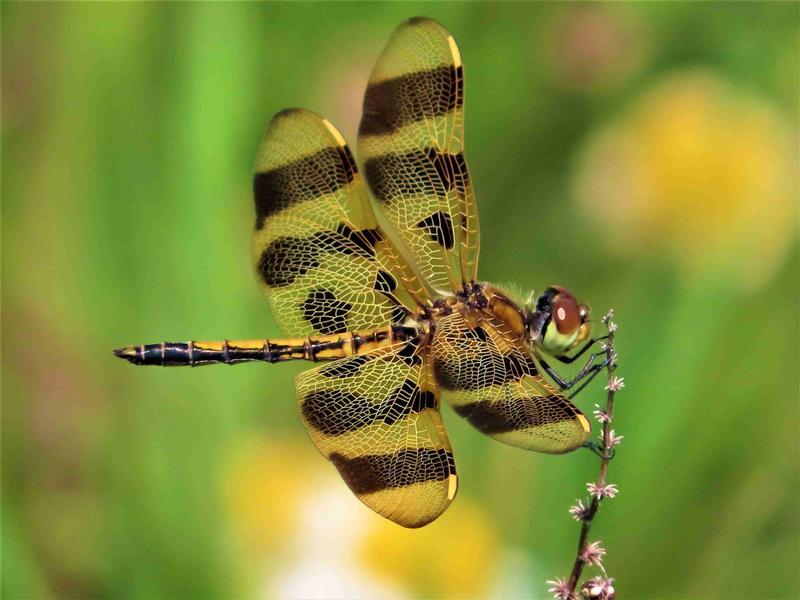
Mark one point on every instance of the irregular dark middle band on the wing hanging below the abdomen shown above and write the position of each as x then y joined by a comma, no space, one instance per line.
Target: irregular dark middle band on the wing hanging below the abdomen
336,412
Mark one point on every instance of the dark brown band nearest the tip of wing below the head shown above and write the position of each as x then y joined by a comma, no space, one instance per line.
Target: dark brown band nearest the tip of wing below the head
503,416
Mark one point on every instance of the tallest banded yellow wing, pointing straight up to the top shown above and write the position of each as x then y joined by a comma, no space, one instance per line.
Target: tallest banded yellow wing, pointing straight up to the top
411,140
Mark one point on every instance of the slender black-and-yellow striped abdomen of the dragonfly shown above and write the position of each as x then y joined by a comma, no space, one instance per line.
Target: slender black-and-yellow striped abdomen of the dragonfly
327,347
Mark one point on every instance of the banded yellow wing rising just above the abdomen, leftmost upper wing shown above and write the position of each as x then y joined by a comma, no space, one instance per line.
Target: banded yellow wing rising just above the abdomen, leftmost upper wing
321,259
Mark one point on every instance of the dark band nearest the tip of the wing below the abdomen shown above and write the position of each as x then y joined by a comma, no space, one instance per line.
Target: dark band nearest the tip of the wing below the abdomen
373,473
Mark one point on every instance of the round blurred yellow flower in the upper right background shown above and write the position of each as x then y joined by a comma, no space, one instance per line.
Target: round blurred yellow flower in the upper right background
700,171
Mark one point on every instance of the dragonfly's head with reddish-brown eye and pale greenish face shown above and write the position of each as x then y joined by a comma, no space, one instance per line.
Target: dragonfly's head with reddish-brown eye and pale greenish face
558,322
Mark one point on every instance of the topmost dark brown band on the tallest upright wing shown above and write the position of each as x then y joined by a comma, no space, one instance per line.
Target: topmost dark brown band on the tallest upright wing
394,103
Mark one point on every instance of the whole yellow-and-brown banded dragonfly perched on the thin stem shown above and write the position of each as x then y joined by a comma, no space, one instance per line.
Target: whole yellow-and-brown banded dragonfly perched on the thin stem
384,293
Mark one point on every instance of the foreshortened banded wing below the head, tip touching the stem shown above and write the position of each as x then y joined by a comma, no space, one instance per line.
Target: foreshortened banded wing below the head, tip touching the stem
492,381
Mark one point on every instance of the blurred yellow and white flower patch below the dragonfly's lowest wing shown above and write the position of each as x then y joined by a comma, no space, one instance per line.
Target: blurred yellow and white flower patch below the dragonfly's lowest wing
307,536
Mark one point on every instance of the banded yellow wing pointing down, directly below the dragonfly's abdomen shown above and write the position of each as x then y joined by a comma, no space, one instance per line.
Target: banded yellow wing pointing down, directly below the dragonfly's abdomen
376,418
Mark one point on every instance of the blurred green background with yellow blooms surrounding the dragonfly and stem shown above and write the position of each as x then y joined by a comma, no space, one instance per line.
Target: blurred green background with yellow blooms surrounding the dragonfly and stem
645,155
